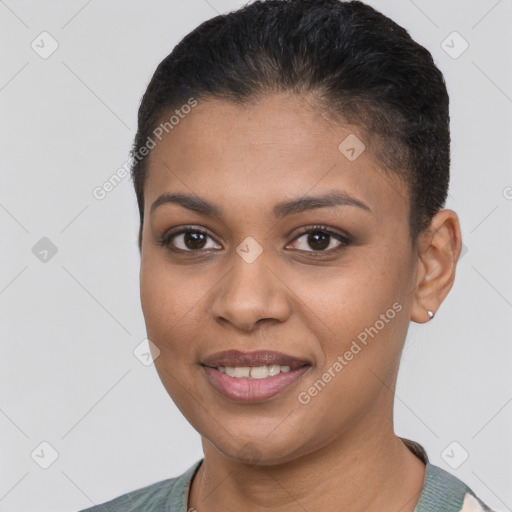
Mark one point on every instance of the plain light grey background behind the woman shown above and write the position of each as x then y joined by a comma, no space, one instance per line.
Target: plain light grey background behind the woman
71,320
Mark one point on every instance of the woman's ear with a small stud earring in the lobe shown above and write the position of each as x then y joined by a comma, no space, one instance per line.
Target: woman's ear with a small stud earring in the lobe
438,253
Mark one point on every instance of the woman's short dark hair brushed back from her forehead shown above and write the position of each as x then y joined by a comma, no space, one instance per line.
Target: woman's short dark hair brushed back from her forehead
360,66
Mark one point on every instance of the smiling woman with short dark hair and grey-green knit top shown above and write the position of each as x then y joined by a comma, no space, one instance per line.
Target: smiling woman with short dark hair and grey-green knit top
291,167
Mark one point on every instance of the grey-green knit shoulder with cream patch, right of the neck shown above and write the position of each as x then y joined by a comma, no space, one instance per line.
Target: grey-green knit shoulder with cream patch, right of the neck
444,491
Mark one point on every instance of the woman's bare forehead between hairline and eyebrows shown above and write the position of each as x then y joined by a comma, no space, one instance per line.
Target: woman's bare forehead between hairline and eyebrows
279,146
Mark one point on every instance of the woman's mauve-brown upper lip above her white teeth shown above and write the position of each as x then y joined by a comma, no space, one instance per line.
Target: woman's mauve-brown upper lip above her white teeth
234,358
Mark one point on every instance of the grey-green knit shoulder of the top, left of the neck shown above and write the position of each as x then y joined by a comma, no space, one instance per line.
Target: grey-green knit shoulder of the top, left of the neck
162,496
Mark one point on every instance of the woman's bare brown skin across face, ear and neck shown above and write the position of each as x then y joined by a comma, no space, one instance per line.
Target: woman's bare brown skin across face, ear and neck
280,454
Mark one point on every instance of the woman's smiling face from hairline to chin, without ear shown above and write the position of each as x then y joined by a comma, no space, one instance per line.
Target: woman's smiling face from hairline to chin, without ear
257,265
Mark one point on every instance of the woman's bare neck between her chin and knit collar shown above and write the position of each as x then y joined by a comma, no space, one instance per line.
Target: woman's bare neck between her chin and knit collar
368,469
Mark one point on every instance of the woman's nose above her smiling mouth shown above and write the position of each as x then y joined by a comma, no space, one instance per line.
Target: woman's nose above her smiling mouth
251,294
